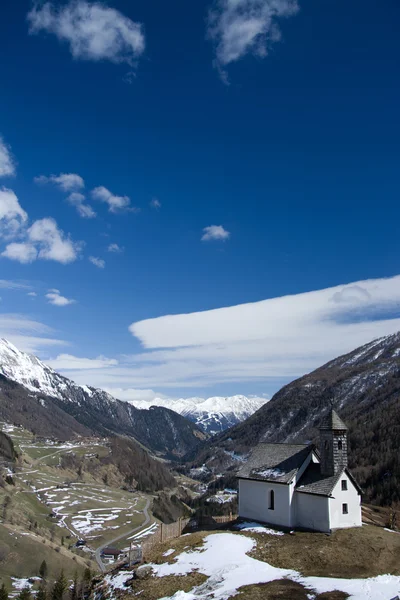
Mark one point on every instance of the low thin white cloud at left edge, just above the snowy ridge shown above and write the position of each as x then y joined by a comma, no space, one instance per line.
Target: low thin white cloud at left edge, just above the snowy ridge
27,334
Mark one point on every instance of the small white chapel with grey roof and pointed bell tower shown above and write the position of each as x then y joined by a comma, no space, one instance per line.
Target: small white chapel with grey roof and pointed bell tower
294,486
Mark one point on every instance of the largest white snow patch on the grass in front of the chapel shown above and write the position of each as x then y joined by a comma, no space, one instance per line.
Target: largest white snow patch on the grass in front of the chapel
224,560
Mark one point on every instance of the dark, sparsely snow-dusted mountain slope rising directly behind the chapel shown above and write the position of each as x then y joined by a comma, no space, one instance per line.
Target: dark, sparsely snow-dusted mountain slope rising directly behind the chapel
364,387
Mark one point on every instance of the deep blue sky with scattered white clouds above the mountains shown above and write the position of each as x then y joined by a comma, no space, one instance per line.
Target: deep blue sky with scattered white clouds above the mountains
275,123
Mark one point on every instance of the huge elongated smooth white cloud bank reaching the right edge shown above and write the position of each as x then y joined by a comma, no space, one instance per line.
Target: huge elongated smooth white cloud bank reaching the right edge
277,338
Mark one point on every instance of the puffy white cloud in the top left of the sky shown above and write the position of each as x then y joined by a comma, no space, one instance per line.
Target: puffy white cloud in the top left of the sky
92,30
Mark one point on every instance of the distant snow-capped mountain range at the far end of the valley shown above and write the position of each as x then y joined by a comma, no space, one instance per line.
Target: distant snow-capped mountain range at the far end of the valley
214,414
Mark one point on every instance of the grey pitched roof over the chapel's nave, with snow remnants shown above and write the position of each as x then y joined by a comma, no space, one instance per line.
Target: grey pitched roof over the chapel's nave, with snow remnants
277,463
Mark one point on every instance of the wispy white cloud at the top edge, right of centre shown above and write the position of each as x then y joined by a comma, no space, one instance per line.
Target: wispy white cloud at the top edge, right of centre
238,27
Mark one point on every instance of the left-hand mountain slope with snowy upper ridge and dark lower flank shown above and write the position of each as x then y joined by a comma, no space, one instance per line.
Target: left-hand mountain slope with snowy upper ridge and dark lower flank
33,394
